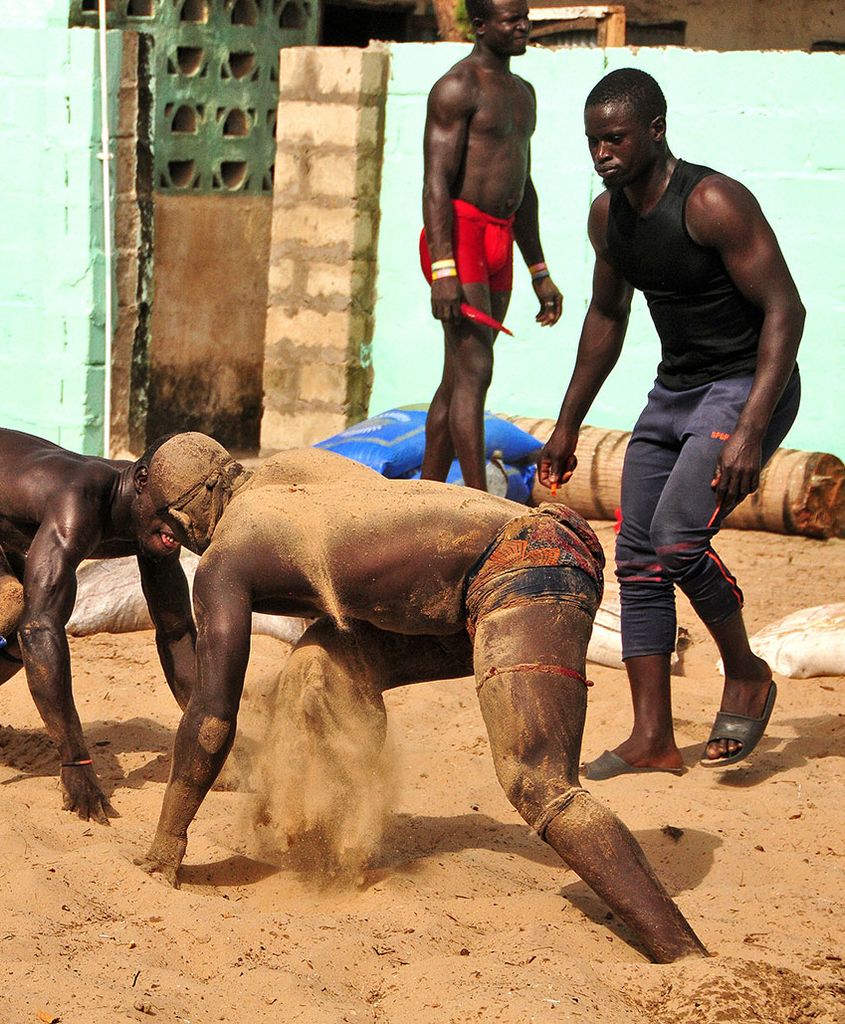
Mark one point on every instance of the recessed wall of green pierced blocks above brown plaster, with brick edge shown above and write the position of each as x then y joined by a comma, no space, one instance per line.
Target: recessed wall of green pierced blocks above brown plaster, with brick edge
194,208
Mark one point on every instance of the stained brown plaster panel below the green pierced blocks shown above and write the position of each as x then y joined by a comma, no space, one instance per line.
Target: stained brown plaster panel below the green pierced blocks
207,332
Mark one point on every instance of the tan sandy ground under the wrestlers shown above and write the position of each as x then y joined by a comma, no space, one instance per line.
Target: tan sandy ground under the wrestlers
462,915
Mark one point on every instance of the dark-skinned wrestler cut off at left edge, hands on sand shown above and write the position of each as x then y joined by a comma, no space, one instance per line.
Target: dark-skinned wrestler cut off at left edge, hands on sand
58,508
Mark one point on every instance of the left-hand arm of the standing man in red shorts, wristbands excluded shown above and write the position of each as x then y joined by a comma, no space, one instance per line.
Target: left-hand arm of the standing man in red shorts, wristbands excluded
451,105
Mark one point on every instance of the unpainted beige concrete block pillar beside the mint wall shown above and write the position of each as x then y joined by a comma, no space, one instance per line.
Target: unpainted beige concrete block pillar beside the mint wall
325,230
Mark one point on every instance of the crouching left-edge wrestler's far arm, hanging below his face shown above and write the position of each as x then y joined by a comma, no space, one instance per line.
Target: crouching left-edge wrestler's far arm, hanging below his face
165,588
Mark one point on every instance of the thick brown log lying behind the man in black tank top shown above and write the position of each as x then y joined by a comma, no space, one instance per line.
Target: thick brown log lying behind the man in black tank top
800,492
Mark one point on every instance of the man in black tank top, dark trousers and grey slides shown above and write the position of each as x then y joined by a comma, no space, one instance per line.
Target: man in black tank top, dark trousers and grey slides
730,321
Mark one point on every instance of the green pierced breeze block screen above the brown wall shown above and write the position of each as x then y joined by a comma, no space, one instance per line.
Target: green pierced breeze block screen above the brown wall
216,84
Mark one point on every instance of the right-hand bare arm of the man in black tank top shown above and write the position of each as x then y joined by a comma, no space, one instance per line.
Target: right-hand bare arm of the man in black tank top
723,215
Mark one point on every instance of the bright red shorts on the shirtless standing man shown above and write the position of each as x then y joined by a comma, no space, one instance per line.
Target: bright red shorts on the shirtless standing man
483,247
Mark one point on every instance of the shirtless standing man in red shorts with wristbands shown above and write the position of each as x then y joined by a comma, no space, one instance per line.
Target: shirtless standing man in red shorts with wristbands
478,199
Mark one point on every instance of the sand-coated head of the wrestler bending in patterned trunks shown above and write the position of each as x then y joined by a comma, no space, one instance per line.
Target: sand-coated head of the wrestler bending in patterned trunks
192,480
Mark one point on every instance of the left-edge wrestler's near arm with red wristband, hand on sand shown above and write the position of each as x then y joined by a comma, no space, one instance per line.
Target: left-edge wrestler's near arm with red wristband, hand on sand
68,534
